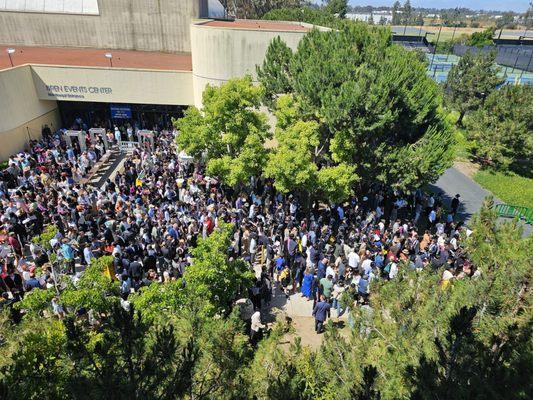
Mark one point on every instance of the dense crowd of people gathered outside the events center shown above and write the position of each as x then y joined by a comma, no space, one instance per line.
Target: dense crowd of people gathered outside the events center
152,212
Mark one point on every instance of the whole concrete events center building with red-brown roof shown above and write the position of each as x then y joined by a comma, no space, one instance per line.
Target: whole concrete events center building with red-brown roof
61,59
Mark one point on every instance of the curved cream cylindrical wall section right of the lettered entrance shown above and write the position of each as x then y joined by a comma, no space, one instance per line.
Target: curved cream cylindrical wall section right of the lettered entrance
221,53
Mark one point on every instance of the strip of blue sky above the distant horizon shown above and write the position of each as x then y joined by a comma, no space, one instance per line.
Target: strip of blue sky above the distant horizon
512,5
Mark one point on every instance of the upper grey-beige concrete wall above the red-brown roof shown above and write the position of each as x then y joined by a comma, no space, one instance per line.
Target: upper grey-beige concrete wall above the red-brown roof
153,25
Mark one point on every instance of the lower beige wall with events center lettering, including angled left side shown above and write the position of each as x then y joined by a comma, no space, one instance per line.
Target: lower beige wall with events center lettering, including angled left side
28,95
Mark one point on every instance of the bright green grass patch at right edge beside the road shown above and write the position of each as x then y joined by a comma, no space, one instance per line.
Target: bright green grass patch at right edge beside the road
511,188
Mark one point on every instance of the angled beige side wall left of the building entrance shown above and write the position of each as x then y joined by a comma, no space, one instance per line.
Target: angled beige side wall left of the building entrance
22,113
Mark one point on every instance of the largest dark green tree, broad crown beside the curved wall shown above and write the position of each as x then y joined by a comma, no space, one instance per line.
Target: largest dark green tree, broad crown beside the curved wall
376,108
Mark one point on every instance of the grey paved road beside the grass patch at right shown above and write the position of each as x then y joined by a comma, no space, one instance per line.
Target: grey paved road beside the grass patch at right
454,182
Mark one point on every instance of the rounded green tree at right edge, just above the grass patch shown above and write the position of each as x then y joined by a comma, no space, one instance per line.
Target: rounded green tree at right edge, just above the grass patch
502,130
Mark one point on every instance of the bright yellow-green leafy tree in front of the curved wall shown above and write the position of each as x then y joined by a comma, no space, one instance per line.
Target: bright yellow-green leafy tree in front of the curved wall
229,131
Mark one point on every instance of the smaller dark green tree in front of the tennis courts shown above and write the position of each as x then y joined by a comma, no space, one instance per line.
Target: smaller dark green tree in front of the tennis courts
470,82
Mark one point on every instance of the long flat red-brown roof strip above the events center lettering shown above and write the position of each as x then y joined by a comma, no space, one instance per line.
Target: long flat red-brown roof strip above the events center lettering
95,58
